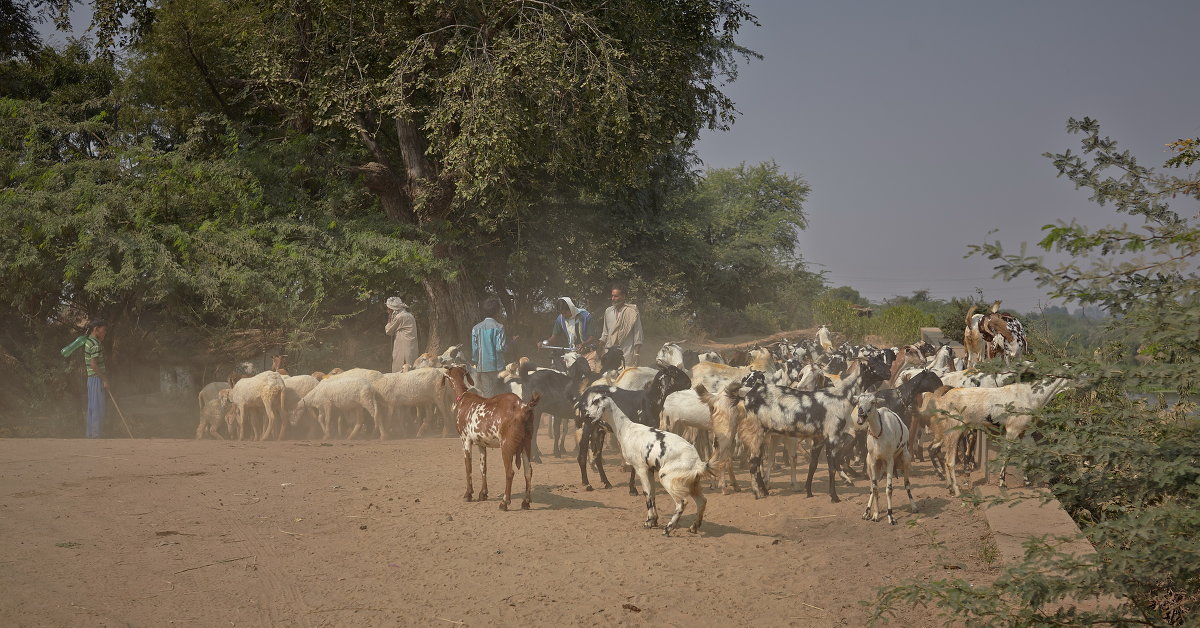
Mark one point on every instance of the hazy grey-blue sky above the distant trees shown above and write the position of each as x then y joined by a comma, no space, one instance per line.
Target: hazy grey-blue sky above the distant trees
921,127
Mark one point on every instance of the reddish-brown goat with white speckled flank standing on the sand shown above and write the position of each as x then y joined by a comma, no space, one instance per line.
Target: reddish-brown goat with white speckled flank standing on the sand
501,422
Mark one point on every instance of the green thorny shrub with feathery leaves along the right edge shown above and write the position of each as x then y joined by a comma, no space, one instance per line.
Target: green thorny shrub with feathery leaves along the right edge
1127,469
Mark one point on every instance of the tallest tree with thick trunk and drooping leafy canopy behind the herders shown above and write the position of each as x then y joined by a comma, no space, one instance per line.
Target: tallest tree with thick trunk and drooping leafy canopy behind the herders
464,115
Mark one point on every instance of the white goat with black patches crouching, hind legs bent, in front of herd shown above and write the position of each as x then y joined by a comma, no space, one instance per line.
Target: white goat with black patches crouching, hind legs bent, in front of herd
649,450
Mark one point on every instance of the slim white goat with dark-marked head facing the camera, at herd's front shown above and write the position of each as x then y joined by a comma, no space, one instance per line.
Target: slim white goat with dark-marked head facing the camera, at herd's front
887,448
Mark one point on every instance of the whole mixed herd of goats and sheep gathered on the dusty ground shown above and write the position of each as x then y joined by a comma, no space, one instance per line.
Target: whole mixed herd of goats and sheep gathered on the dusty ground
681,421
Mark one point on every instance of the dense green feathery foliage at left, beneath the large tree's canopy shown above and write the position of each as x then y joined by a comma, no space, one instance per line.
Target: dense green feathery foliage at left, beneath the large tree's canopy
178,249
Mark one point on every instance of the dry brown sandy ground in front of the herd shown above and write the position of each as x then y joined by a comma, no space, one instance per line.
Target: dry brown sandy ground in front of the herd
177,533
